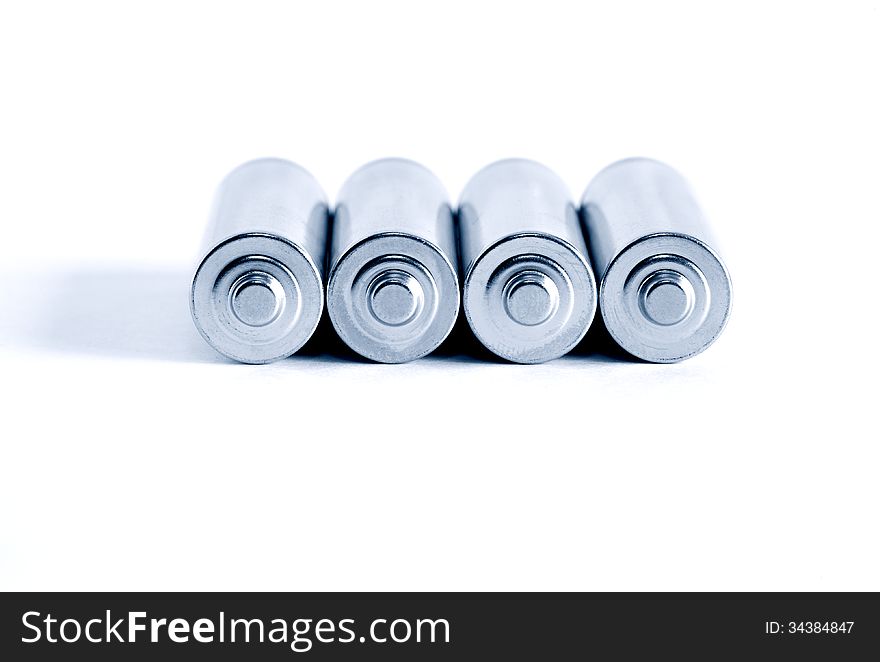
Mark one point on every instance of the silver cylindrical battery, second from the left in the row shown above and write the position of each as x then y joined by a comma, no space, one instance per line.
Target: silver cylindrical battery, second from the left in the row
392,293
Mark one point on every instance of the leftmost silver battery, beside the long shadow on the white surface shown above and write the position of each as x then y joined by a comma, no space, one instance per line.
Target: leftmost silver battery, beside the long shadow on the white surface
257,294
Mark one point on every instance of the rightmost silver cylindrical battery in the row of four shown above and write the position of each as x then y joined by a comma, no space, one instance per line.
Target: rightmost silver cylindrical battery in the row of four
664,292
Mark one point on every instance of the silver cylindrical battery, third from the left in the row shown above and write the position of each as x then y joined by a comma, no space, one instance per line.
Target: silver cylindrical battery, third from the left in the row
529,291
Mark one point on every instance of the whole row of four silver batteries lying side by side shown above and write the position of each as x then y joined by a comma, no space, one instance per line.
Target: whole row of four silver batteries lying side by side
392,255
